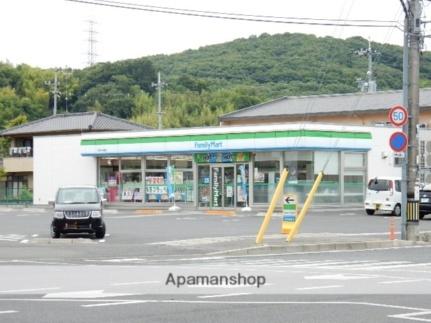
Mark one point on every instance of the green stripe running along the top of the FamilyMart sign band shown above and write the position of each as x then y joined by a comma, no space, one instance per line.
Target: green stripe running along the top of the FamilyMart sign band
230,136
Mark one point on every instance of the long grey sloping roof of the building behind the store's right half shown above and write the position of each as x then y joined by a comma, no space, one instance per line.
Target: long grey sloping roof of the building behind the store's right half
327,104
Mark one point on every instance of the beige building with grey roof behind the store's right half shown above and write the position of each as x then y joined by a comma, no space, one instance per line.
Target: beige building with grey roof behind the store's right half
346,109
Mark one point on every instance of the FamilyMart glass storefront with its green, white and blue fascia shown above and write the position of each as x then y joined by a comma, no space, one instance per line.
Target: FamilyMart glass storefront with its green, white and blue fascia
229,167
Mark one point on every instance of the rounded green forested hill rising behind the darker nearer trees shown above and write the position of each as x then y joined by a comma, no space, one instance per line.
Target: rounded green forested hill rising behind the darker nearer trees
289,64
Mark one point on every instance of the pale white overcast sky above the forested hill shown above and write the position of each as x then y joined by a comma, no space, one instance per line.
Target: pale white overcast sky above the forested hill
54,33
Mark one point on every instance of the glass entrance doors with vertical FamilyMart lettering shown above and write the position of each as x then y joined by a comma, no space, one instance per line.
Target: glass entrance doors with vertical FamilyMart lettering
222,186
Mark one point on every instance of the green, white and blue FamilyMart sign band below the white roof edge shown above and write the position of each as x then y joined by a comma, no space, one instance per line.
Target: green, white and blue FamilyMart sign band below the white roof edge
246,141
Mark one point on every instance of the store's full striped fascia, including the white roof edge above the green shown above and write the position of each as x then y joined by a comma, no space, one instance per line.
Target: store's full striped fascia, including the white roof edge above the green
227,139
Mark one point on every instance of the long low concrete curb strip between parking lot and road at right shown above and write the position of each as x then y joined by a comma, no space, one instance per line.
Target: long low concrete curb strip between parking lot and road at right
316,247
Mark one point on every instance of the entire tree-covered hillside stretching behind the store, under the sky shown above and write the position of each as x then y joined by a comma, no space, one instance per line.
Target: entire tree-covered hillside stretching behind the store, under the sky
204,83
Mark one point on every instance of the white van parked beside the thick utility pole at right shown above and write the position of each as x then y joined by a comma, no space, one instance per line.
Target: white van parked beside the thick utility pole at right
383,194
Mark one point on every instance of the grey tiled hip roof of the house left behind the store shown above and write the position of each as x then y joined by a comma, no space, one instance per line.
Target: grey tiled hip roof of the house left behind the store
73,123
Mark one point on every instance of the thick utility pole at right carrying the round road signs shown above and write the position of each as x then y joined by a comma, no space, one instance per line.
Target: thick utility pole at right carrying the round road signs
413,19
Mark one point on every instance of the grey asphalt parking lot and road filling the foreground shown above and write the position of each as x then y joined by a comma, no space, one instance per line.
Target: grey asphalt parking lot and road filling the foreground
123,277
